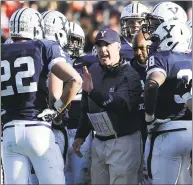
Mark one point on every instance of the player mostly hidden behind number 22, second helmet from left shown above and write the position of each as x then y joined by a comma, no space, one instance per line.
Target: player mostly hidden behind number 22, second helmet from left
56,28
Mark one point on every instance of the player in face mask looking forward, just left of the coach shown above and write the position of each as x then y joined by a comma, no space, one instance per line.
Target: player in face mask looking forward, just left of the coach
78,169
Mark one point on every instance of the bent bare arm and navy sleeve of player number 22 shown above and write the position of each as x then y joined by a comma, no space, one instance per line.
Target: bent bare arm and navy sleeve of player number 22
59,66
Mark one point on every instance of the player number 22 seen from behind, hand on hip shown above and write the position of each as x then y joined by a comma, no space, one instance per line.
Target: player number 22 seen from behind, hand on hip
27,137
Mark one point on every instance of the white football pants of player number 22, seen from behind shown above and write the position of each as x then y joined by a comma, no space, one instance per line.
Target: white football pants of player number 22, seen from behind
32,144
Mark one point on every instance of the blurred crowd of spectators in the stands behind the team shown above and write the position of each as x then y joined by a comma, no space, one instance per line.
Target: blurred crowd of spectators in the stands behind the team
90,15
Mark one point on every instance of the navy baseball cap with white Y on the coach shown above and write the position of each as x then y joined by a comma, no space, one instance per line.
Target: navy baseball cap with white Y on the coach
108,35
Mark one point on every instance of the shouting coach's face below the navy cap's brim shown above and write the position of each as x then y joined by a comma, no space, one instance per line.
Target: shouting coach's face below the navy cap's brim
108,53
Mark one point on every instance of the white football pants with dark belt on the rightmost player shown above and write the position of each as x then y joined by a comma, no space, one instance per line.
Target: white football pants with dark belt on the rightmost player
171,154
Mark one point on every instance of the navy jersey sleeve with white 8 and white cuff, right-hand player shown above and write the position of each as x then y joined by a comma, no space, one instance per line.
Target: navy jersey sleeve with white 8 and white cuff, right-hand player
156,64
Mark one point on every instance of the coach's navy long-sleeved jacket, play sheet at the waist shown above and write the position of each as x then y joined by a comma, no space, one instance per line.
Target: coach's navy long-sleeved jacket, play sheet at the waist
117,91
